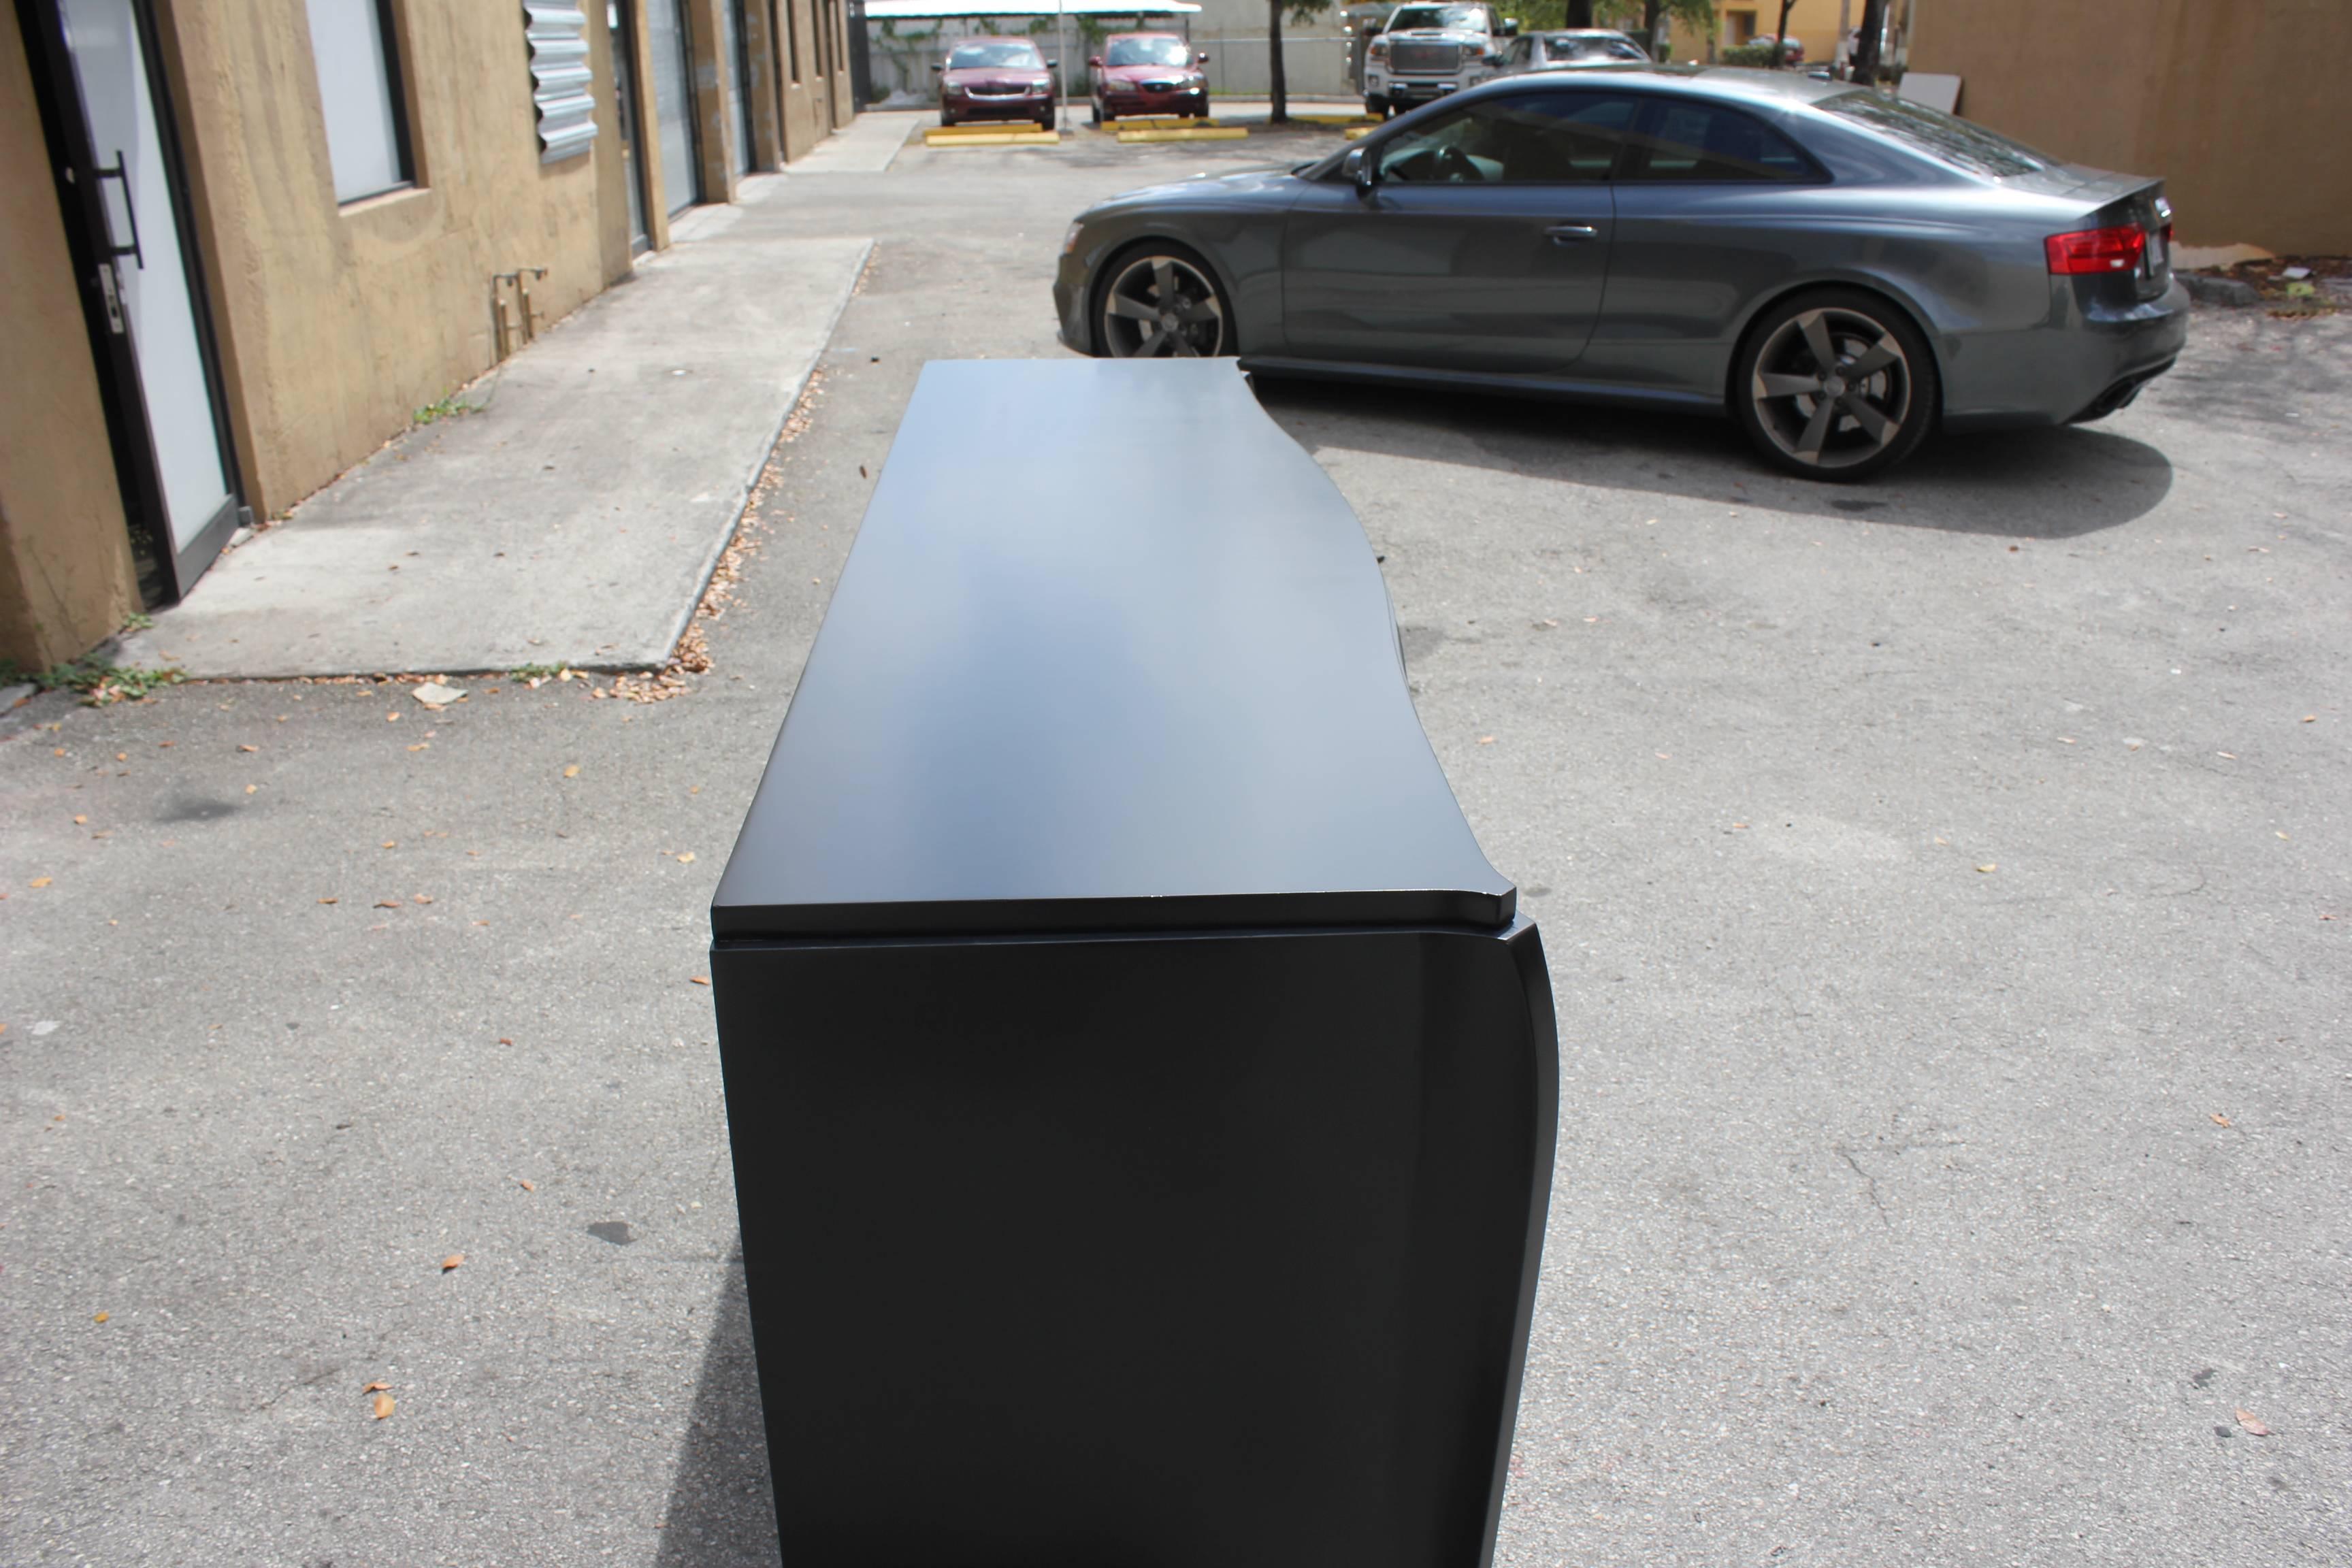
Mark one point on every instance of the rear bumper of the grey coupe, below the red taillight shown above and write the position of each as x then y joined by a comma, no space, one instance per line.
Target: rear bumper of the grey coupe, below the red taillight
2078,366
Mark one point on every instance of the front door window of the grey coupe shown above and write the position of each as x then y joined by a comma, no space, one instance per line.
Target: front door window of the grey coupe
1525,140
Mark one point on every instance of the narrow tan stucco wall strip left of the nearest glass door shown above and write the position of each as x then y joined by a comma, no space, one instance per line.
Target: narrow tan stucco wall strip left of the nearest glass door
65,556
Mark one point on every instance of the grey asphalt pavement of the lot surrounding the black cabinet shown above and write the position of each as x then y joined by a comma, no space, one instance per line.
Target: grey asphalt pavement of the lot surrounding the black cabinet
1944,883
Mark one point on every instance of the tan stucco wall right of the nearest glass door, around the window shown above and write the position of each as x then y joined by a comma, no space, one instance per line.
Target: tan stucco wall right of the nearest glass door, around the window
338,323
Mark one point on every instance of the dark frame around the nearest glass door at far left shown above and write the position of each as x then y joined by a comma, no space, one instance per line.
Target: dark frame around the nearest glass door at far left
171,572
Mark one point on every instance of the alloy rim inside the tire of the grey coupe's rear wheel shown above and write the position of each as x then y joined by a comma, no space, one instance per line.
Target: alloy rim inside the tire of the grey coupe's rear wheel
1831,389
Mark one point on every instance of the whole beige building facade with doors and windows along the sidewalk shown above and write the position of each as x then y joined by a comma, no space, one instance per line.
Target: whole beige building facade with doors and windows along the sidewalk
243,246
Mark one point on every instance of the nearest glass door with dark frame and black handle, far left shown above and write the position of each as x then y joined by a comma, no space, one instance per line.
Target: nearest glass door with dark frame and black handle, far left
135,250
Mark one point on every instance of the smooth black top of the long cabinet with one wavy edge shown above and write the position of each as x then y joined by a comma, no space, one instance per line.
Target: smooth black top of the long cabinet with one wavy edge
1111,655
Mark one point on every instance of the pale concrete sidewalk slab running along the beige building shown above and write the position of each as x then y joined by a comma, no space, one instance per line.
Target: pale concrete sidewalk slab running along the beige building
575,516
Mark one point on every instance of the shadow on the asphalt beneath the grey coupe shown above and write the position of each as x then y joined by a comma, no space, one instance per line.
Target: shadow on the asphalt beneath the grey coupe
2017,485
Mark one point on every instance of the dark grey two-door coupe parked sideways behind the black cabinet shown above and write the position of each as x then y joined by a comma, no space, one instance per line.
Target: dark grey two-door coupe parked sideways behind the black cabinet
1838,272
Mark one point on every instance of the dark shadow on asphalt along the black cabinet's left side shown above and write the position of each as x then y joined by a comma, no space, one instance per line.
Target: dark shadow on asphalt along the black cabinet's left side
721,1510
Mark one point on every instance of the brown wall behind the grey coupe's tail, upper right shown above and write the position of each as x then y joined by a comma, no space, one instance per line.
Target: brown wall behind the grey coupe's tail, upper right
2238,107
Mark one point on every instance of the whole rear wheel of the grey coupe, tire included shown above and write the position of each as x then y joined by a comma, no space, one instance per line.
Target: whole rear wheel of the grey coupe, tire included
1836,387
